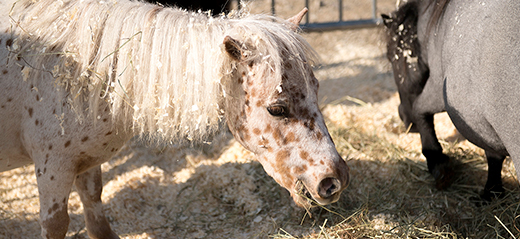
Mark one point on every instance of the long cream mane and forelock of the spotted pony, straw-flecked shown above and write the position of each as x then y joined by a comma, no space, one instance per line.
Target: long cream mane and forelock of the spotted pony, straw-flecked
160,69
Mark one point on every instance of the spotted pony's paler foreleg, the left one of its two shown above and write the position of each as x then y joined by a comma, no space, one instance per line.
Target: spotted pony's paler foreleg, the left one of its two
54,185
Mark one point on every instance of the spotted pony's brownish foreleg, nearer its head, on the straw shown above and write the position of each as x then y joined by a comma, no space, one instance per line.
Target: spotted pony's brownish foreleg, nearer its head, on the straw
89,186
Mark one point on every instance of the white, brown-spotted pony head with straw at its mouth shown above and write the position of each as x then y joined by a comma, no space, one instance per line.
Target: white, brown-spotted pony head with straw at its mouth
271,109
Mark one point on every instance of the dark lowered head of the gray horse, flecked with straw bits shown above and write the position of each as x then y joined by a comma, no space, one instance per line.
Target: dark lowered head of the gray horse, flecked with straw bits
404,52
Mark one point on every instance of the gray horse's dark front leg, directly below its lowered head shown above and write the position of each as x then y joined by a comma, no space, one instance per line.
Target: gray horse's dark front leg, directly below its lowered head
438,163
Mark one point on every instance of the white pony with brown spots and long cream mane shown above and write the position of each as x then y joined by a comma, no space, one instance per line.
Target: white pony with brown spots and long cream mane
78,79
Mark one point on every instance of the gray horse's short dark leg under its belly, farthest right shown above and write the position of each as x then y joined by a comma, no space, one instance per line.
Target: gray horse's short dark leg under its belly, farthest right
494,182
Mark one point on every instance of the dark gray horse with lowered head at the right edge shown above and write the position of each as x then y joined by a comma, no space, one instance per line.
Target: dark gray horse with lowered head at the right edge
462,57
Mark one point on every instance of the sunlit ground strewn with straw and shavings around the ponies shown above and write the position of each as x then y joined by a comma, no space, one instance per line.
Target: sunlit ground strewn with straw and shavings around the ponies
218,190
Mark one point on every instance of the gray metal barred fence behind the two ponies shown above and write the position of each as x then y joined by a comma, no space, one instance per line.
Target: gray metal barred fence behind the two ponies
337,25
